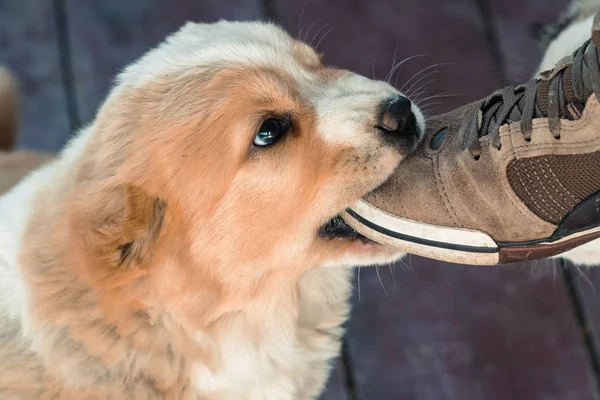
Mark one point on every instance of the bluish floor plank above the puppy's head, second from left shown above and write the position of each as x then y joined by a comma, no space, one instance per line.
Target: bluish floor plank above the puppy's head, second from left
105,36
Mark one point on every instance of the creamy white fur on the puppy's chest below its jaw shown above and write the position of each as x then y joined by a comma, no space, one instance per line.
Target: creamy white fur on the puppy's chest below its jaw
278,365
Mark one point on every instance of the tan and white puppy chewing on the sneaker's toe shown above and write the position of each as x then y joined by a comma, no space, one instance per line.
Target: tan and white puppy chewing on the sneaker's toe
186,244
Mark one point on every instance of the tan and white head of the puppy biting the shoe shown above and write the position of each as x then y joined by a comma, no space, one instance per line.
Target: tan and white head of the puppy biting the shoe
227,154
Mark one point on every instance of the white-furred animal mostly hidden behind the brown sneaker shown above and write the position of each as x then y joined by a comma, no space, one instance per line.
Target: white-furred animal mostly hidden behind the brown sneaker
562,39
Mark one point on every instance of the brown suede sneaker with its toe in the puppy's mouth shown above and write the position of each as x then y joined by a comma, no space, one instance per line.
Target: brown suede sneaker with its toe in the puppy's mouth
513,177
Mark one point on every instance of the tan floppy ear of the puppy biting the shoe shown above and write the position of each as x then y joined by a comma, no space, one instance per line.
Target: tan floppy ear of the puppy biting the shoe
117,234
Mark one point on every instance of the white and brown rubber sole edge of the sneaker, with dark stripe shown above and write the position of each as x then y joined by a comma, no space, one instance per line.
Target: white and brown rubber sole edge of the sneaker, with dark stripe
457,245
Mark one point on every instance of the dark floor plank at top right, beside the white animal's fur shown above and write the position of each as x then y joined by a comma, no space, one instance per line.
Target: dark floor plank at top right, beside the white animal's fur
514,22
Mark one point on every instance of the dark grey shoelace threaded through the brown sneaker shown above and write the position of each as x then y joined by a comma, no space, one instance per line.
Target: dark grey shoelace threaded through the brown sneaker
518,103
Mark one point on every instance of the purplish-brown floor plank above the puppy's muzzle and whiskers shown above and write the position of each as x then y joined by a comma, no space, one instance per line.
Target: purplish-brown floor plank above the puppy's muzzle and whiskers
365,35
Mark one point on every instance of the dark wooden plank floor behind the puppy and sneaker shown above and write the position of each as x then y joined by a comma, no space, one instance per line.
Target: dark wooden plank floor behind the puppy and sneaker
421,330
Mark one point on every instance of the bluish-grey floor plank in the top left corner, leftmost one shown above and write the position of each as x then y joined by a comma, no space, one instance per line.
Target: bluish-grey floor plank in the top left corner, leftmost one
29,46
